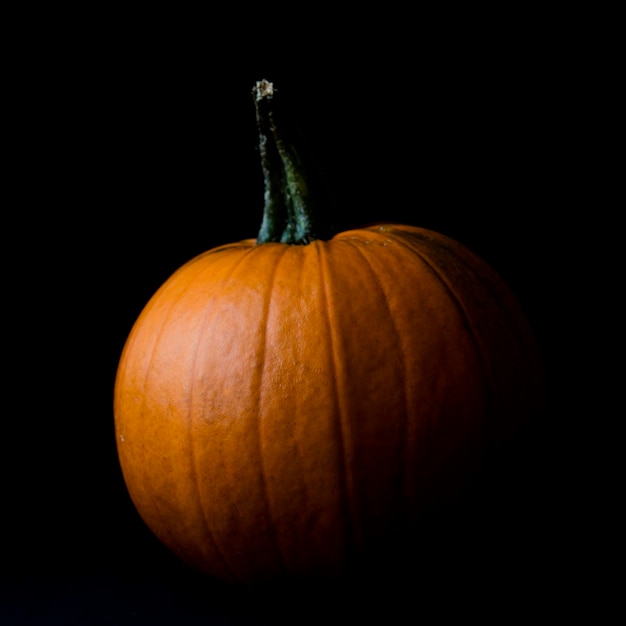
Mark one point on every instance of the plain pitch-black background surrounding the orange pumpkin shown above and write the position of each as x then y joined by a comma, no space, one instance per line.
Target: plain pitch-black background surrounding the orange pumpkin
135,149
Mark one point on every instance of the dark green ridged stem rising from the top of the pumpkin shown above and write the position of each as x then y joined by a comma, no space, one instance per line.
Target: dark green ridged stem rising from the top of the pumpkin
290,210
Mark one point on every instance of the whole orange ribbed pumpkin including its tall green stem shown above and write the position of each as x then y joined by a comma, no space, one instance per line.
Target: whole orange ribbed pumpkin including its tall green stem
282,403
